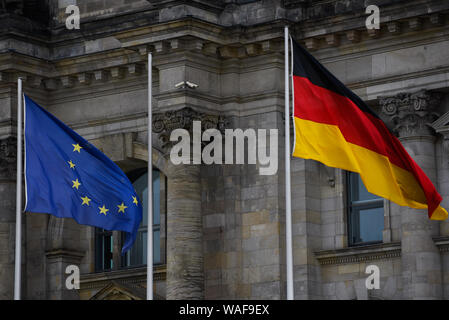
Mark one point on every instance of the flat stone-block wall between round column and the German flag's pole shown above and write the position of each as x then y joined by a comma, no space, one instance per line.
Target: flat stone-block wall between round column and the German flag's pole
242,225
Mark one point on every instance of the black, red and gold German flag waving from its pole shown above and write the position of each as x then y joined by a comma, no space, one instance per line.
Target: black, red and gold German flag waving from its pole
334,126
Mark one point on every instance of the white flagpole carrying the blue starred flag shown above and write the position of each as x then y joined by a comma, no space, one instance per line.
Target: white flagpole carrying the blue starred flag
18,259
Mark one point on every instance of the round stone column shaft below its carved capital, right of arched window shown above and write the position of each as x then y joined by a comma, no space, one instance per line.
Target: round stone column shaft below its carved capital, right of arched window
185,277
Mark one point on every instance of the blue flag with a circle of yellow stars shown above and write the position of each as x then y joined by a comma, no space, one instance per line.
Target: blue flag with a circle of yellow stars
68,177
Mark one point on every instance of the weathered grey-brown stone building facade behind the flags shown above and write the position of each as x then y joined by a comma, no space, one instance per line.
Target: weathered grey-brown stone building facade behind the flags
221,233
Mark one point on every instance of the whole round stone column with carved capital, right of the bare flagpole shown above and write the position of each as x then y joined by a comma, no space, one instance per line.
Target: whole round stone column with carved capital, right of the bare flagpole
185,258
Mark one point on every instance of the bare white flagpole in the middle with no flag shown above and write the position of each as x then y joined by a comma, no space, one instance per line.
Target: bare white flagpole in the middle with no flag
150,184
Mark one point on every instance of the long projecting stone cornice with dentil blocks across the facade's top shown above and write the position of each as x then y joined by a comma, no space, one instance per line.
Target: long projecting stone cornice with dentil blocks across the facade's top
124,53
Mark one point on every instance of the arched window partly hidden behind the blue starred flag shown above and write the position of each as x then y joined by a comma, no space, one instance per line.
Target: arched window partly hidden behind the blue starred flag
137,255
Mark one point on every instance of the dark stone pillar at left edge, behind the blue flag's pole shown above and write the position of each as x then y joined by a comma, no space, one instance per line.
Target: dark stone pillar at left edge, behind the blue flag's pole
7,216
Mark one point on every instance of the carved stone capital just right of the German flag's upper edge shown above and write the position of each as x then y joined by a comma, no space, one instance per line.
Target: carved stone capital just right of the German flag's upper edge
411,113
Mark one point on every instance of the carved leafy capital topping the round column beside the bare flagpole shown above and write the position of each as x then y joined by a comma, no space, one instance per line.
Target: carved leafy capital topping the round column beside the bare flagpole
164,123
